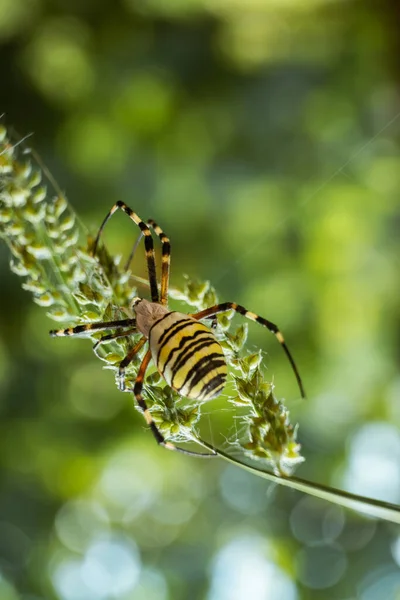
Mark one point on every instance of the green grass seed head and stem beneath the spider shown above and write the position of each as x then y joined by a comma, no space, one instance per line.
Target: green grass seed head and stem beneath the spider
52,252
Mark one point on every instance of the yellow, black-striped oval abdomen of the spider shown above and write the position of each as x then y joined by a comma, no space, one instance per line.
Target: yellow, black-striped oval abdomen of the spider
188,356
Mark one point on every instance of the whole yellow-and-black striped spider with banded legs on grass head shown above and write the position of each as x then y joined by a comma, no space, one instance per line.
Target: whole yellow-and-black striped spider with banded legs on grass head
184,350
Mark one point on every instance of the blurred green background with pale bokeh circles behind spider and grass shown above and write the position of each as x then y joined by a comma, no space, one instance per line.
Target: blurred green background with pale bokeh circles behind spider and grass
263,136
